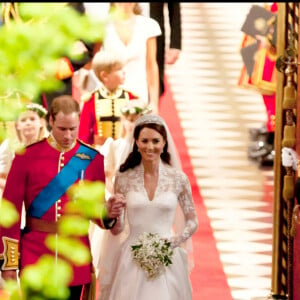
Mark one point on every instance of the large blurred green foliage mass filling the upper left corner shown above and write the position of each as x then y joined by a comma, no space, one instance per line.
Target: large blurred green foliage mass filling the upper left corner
30,49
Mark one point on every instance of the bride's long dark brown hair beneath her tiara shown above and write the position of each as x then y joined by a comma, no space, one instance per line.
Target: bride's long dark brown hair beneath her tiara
134,158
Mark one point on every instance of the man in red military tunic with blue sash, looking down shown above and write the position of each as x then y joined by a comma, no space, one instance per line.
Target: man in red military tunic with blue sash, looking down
40,178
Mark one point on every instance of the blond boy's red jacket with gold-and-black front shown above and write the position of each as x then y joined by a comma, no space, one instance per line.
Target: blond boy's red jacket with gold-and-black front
100,116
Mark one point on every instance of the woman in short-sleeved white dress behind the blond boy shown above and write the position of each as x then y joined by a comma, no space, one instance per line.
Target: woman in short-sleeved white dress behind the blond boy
135,35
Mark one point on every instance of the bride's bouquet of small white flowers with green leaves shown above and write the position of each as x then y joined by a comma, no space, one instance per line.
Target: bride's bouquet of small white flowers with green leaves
152,253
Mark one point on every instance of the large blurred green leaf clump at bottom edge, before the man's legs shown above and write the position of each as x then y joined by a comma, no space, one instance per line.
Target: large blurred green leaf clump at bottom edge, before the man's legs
47,279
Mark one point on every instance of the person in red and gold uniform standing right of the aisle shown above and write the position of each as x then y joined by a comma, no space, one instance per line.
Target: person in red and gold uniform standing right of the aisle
259,72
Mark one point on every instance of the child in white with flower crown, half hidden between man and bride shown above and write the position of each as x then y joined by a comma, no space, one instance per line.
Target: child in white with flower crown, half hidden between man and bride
115,152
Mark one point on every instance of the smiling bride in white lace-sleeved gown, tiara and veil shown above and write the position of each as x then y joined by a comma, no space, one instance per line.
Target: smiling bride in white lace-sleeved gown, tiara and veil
153,189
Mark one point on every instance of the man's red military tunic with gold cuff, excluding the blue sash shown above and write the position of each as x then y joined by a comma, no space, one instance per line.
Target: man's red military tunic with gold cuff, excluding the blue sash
29,174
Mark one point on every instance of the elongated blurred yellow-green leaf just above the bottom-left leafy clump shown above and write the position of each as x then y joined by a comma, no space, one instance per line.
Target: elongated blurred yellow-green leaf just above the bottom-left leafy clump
70,248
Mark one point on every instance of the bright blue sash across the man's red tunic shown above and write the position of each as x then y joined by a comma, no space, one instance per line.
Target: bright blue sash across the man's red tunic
61,182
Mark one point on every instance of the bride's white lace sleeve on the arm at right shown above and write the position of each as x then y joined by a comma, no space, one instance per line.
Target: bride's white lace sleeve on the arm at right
187,205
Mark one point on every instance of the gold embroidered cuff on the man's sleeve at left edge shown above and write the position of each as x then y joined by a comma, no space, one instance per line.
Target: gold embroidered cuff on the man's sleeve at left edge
10,254
